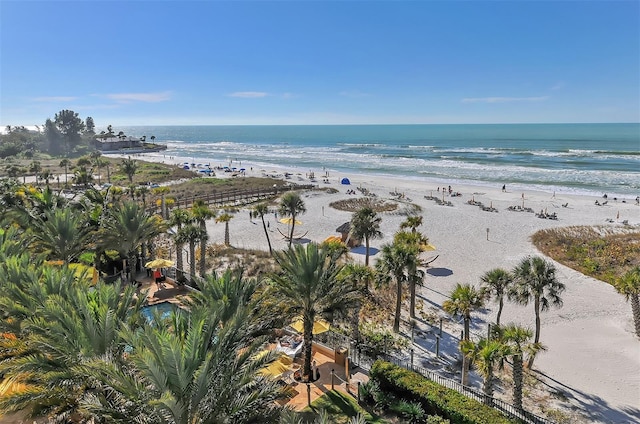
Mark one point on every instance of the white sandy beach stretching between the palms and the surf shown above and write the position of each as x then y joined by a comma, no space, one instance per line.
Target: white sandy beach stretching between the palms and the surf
592,357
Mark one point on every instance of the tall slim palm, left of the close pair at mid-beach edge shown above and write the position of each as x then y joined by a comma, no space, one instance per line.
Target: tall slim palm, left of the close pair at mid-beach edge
391,265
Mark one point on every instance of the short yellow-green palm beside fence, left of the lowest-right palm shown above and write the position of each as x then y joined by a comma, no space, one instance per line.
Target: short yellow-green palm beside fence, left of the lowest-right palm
485,354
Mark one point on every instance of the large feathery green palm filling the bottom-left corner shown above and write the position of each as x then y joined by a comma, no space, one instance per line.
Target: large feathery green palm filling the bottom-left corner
65,327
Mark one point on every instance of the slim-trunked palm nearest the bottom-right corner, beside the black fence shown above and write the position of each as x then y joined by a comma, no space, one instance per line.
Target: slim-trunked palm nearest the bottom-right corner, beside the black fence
517,344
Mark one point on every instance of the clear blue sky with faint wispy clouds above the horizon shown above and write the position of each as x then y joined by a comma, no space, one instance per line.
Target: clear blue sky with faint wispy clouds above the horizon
320,62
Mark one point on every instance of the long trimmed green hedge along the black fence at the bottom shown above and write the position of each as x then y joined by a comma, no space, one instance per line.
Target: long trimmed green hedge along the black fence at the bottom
435,398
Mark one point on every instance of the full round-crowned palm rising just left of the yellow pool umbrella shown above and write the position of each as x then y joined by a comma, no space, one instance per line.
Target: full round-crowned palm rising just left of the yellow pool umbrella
127,227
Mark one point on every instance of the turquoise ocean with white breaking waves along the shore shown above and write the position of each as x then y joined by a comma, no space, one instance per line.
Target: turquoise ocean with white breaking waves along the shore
573,158
